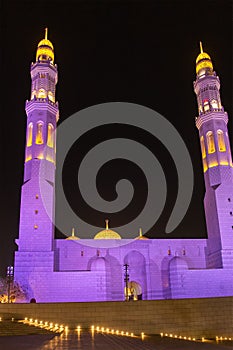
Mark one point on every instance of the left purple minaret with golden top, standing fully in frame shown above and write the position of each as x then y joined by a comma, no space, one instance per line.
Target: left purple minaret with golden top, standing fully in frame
36,231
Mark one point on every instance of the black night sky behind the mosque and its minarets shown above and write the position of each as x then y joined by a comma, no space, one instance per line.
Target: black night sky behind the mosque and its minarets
142,52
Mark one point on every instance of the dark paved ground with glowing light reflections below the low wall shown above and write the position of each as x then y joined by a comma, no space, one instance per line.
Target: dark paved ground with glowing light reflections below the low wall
84,340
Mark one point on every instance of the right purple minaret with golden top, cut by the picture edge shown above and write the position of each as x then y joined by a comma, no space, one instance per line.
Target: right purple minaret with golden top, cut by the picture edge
217,164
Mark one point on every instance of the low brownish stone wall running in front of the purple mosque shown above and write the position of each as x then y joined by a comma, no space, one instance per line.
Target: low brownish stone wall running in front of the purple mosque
208,317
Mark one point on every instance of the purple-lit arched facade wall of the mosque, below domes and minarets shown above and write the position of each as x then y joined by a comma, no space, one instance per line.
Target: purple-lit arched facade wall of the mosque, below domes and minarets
91,278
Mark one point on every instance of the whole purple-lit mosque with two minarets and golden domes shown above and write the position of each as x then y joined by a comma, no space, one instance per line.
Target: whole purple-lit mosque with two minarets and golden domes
104,269
